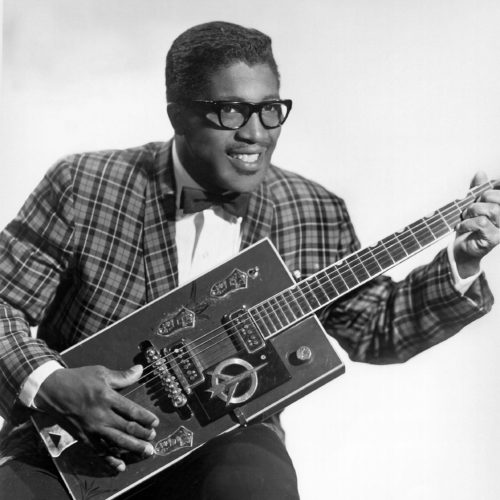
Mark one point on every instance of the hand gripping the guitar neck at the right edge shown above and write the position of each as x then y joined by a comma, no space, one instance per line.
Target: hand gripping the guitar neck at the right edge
479,231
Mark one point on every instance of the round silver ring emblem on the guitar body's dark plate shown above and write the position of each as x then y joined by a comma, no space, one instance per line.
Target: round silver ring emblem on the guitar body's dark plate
234,380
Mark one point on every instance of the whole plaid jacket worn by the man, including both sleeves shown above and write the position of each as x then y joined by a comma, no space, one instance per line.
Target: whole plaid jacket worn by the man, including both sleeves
95,241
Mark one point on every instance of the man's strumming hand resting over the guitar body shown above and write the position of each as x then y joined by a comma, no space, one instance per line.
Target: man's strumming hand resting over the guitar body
97,414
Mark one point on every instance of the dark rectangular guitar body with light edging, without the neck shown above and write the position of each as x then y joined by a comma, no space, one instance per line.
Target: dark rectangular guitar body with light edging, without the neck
210,367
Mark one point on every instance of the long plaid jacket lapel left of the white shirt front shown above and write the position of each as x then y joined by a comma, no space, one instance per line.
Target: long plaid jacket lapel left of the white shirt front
160,251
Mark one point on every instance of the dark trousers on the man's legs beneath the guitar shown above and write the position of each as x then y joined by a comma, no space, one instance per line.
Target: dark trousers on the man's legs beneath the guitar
249,464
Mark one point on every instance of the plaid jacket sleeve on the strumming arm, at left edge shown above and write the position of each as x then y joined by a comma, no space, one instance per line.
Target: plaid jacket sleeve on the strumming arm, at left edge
35,254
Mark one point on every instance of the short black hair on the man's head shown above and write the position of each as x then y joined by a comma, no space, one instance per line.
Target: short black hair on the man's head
204,49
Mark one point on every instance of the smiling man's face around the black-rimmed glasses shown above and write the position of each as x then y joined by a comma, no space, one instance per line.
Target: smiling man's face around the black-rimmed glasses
230,160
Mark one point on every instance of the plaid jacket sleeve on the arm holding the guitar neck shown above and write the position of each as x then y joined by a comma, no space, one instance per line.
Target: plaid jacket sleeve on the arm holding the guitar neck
388,322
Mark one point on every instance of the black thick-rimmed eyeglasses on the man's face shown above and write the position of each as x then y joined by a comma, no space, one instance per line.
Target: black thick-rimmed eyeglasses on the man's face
232,115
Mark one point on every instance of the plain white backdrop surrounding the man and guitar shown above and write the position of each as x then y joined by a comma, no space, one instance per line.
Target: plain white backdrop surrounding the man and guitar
396,105
